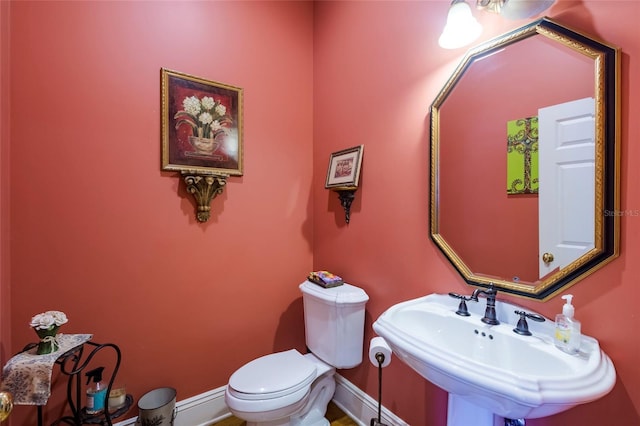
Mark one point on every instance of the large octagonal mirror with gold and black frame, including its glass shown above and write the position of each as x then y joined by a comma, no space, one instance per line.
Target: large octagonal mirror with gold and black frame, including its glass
525,160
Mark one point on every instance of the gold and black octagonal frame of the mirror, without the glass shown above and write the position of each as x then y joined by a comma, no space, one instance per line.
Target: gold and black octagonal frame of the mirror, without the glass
606,61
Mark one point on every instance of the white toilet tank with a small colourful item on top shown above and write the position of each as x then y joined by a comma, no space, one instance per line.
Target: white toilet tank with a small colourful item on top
334,323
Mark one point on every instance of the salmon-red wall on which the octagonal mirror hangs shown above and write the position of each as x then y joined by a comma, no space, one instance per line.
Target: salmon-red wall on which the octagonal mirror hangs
377,70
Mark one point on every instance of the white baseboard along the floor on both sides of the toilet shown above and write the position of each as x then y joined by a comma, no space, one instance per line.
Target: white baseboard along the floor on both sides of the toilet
209,407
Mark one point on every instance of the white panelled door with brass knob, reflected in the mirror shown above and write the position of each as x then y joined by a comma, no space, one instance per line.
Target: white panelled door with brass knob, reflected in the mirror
566,200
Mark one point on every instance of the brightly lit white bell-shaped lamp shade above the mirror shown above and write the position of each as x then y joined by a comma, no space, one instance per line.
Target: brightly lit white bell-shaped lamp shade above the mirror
461,28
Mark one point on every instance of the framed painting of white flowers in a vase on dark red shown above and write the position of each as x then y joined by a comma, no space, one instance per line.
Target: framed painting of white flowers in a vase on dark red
201,125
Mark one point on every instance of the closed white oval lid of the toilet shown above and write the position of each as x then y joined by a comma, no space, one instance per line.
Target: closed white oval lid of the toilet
273,375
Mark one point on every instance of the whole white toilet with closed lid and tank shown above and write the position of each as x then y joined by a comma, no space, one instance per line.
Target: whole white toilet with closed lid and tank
288,388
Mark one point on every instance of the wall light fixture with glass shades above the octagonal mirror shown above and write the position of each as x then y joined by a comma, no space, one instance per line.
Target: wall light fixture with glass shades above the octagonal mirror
462,28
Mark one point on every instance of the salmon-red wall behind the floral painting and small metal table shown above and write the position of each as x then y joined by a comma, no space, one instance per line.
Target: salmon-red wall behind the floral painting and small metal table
99,232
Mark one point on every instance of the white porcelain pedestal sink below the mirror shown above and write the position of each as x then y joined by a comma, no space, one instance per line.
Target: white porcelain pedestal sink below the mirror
489,368
